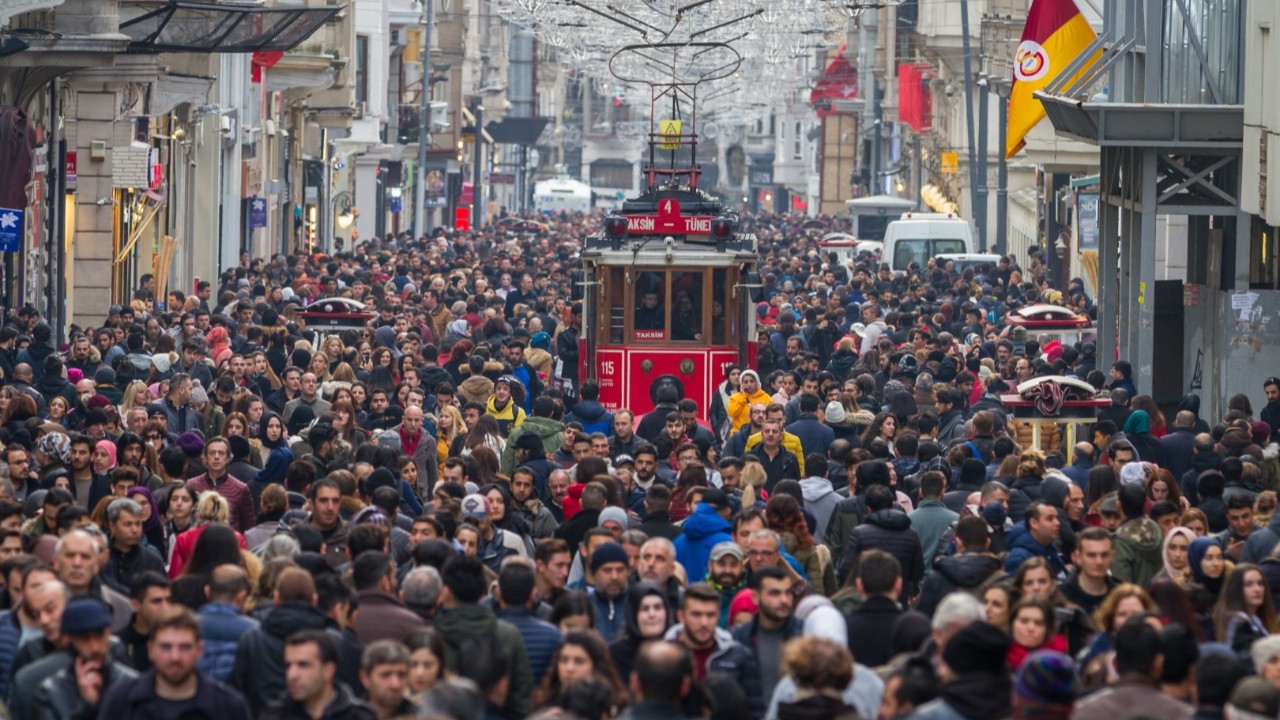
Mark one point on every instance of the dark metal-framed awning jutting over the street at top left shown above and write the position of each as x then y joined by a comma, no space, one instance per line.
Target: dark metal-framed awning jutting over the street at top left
198,28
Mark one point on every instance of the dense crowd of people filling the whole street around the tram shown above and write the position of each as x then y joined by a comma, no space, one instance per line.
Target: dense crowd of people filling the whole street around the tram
209,509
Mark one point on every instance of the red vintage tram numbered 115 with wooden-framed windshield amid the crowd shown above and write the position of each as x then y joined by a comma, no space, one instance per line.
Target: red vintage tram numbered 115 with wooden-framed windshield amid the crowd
668,294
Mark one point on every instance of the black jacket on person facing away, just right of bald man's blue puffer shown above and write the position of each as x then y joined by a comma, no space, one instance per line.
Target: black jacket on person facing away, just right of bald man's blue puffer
259,671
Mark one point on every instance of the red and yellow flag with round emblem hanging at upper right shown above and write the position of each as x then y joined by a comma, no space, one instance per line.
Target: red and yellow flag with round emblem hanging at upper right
1055,35
